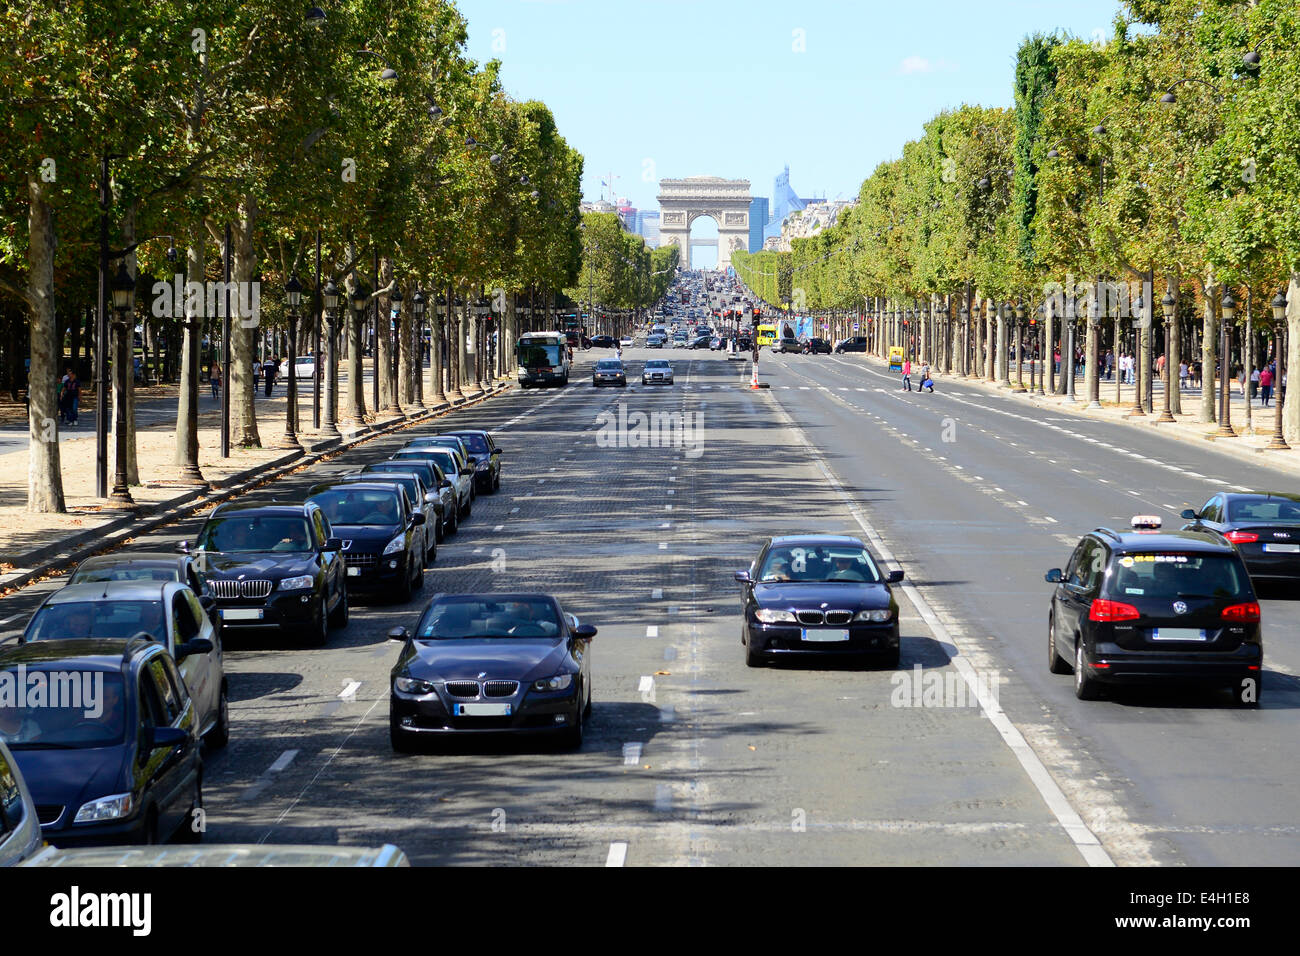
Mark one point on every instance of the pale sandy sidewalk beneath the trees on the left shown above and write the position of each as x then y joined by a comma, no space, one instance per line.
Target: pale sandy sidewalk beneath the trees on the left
36,544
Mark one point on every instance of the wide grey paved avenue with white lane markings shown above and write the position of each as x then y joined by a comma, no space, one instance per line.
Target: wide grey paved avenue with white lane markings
695,759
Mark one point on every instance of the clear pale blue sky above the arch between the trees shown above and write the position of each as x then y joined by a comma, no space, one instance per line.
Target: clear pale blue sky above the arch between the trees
649,89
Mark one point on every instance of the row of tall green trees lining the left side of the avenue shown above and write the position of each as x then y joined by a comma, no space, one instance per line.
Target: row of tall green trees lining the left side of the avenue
244,133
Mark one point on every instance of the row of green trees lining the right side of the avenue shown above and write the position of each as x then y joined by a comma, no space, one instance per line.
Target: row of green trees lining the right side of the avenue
1168,155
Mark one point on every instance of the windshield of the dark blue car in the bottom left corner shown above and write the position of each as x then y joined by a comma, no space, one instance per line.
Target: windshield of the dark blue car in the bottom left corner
62,710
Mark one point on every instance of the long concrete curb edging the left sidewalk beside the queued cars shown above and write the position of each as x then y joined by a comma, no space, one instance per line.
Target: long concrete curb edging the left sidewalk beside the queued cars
75,550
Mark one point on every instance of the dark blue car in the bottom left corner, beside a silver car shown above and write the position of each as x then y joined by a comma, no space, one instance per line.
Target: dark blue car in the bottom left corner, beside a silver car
112,758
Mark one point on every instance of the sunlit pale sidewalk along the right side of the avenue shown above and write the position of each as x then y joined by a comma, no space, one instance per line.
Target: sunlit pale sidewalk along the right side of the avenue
1250,445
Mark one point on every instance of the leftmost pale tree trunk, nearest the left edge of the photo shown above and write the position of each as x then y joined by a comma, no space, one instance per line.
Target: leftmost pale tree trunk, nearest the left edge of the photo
45,474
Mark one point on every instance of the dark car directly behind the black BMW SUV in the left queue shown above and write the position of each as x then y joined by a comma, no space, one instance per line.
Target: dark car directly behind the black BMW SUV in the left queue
383,535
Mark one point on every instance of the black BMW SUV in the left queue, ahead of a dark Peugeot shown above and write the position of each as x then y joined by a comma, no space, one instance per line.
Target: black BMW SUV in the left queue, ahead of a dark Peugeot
274,566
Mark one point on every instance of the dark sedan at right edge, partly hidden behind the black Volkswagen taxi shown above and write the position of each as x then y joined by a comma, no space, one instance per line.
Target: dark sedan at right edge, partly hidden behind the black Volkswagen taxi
1264,526
